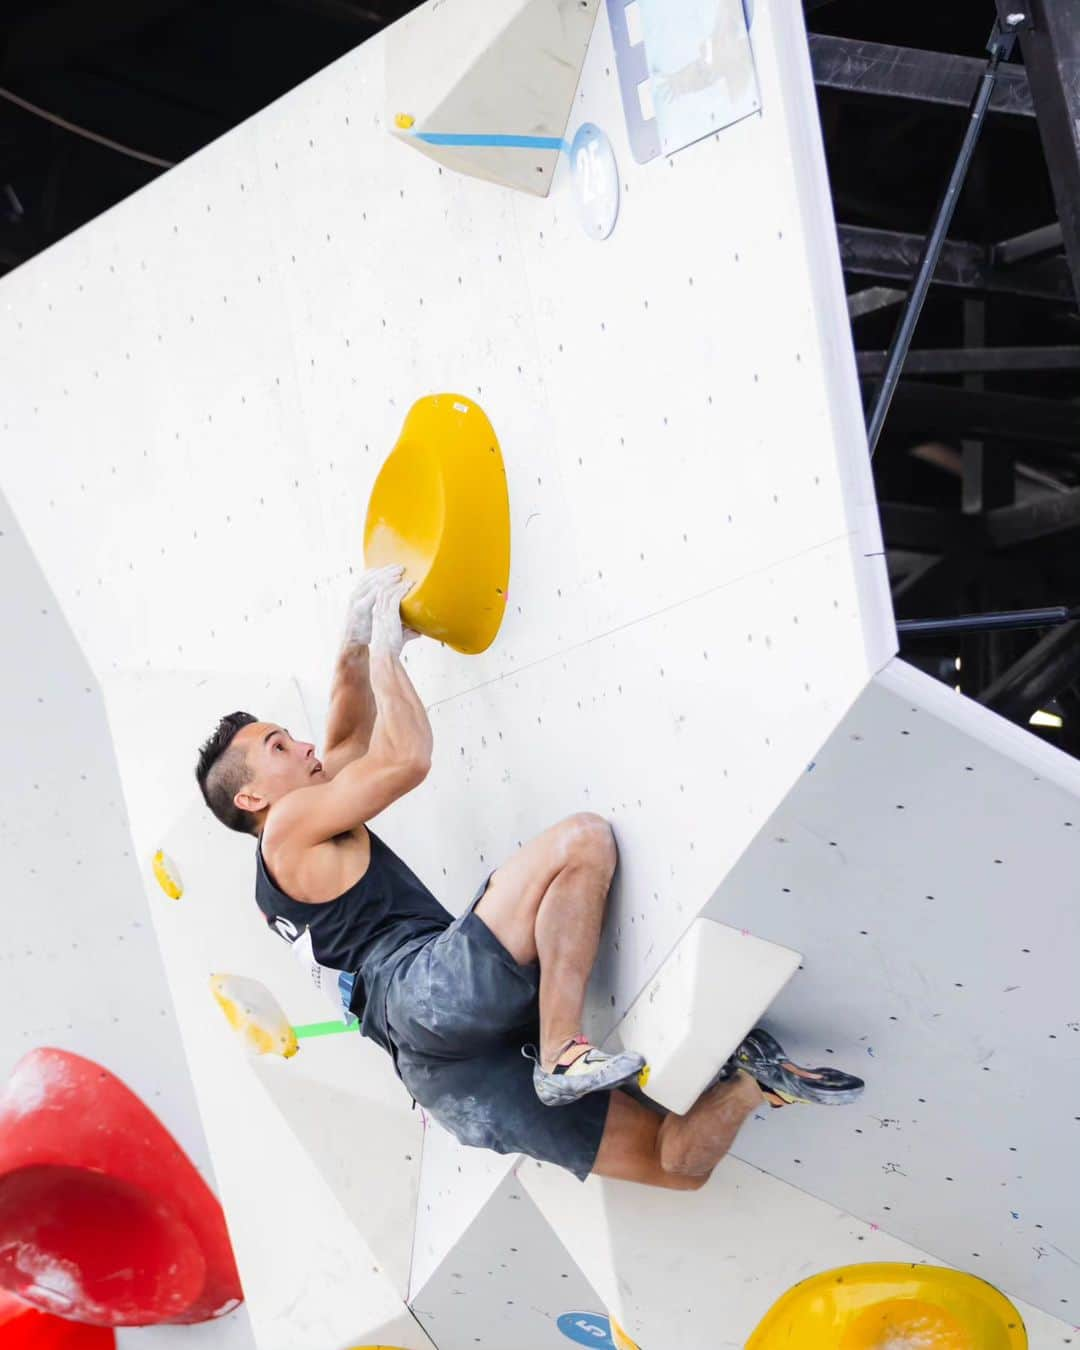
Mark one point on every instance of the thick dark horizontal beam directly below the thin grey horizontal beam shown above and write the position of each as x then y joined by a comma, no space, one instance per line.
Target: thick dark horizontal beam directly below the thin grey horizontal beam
931,412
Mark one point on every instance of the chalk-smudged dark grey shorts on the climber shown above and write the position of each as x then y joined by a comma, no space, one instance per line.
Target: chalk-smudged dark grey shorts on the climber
458,1012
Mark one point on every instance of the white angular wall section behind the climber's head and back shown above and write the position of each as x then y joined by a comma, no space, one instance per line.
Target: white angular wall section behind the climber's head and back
319,1158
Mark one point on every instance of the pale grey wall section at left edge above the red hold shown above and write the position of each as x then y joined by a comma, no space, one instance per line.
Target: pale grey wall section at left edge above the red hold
79,965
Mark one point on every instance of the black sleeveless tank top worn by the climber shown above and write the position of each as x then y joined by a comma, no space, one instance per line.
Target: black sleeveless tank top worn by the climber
360,938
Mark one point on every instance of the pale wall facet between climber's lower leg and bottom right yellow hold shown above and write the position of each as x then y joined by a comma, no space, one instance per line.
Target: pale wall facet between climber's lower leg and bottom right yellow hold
701,1274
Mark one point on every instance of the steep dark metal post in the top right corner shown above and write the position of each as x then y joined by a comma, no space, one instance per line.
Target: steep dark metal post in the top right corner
1052,57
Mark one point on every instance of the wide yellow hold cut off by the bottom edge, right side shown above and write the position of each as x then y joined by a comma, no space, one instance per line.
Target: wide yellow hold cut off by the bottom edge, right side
889,1306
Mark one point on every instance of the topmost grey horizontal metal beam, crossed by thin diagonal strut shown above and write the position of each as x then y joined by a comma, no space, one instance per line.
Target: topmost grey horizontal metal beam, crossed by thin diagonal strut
908,74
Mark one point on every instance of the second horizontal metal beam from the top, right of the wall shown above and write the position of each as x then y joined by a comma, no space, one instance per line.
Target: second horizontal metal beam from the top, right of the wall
892,256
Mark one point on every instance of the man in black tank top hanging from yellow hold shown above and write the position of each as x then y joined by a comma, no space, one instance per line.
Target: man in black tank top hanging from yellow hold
457,1002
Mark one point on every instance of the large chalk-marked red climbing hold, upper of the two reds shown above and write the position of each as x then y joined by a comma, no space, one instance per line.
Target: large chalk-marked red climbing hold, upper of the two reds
103,1217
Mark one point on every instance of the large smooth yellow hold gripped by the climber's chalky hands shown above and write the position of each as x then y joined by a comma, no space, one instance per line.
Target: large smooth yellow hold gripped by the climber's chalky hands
441,510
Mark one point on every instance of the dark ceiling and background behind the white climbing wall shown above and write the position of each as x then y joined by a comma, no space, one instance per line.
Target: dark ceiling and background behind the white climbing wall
978,469
